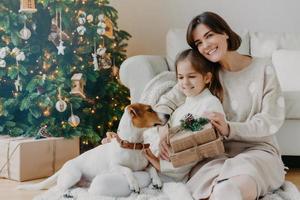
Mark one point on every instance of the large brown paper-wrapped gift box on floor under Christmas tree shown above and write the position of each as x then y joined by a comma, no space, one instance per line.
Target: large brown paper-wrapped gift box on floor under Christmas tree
24,159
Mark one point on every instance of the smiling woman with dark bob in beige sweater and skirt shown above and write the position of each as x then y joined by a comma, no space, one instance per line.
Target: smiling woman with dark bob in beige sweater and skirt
254,109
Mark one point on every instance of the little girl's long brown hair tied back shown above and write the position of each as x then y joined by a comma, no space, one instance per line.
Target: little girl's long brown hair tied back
203,66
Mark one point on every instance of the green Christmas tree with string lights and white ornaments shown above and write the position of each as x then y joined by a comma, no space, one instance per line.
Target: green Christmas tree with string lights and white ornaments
59,62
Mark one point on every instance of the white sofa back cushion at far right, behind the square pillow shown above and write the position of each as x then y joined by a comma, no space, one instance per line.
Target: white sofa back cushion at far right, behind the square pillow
264,44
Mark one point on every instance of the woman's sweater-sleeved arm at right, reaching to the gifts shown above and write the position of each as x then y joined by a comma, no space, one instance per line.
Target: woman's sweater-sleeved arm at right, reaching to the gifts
264,123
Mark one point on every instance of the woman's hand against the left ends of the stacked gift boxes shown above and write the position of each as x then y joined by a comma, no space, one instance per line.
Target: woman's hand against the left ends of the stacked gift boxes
163,142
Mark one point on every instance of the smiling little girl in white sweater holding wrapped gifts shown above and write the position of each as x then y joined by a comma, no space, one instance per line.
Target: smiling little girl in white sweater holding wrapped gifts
198,80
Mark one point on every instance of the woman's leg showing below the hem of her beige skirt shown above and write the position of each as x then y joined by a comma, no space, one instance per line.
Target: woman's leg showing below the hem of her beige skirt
241,187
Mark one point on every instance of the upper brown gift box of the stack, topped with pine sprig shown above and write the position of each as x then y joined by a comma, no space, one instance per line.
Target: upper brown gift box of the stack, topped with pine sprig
184,139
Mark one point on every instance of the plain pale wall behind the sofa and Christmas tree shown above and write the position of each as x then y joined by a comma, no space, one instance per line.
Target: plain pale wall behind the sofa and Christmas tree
149,20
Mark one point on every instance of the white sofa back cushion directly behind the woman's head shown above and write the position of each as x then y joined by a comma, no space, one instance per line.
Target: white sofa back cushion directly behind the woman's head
176,42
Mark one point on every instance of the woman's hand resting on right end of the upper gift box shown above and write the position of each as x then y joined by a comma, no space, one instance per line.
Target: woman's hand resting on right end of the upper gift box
218,121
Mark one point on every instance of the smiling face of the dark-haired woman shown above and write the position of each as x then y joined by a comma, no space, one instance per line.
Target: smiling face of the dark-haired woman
211,45
